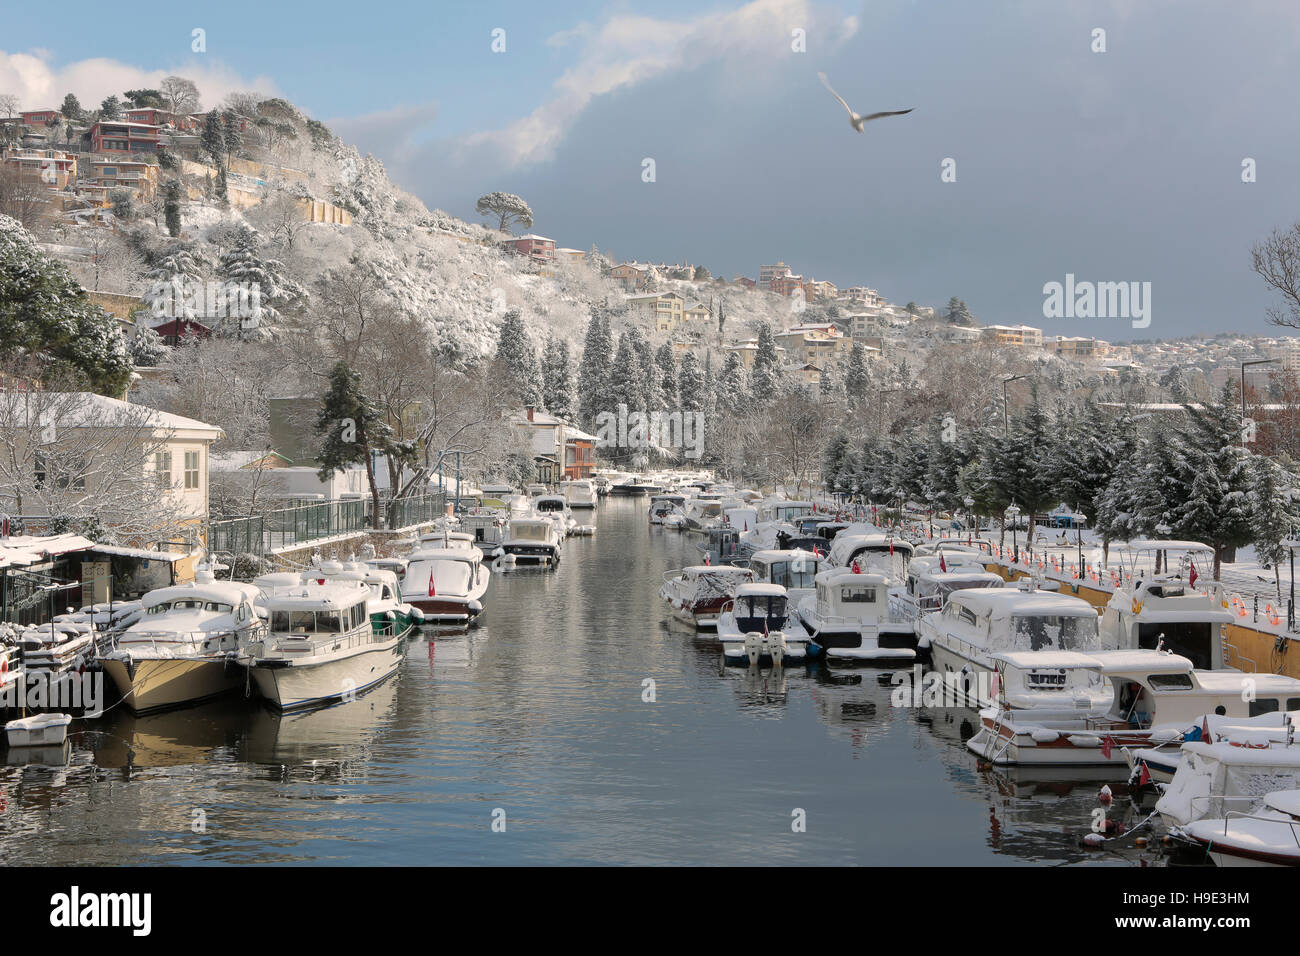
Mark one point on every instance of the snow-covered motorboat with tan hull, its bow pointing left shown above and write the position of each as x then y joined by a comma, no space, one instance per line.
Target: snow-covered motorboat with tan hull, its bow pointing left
180,652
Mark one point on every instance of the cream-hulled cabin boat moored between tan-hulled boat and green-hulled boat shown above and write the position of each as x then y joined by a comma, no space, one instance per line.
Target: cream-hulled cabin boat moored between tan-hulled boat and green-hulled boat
320,646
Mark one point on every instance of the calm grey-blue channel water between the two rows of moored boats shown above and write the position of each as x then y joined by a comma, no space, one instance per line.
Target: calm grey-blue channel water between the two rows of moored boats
540,713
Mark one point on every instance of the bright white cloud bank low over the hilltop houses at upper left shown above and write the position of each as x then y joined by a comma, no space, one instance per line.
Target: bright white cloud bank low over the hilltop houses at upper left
41,85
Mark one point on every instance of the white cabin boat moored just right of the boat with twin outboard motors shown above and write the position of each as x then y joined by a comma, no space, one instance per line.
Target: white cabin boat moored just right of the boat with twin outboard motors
850,618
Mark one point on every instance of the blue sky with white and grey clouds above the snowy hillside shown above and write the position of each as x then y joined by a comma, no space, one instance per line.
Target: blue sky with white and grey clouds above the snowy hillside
1124,166
